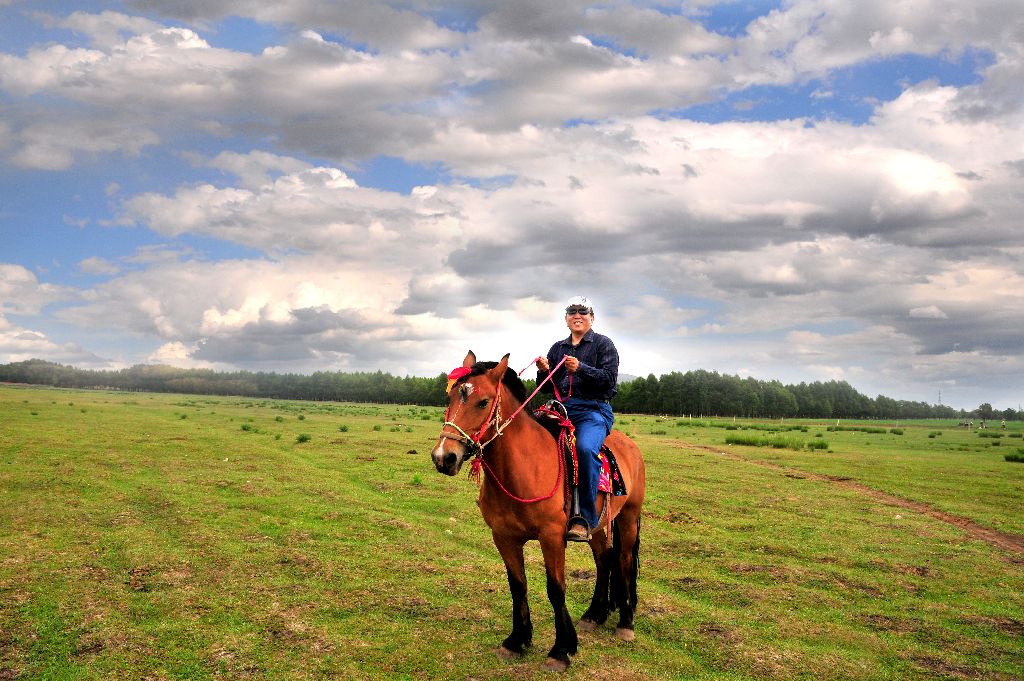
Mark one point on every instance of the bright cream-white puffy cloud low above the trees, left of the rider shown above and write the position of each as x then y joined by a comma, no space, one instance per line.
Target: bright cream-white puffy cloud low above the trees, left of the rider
249,311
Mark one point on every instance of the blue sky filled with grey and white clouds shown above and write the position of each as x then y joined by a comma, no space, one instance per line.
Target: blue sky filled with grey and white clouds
797,191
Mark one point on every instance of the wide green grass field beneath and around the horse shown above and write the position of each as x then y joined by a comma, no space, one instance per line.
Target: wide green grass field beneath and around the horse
173,537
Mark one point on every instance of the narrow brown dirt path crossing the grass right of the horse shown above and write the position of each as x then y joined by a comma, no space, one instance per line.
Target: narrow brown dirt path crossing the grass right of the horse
1006,541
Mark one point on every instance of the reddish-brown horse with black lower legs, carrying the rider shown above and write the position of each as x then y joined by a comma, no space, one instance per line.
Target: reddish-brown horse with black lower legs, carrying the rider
524,498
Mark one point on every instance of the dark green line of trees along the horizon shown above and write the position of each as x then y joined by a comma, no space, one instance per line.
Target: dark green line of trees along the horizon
697,393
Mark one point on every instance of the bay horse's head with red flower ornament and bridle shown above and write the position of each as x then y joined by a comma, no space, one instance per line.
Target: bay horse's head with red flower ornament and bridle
475,397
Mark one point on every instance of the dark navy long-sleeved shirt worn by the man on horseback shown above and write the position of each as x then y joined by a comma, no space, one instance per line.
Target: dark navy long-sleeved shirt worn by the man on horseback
598,377
